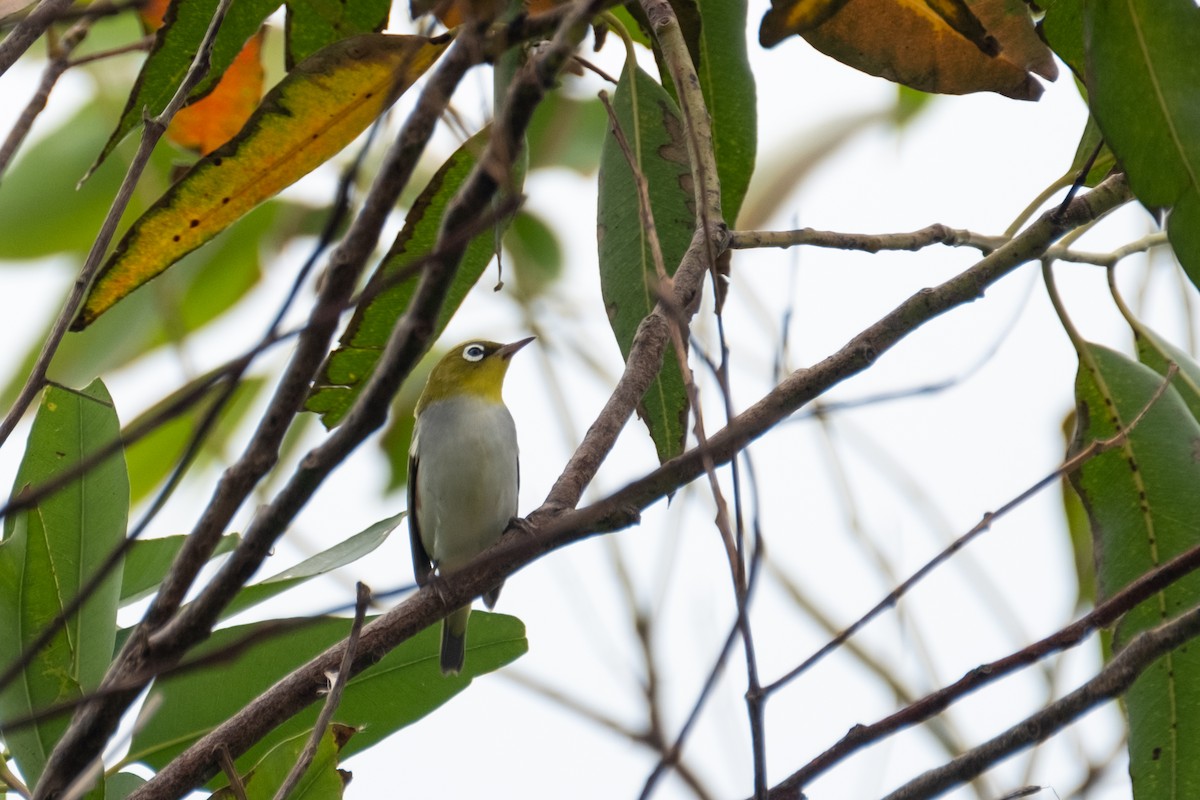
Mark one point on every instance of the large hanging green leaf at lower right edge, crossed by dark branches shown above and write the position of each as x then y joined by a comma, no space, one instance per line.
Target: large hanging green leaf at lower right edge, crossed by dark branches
1143,504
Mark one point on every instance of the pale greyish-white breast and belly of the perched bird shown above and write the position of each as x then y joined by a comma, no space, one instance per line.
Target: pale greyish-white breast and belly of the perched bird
467,478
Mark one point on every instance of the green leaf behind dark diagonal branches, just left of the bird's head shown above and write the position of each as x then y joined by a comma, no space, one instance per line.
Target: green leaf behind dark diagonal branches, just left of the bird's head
393,285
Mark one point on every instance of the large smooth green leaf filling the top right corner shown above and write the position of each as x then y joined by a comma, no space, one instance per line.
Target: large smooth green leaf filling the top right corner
1143,75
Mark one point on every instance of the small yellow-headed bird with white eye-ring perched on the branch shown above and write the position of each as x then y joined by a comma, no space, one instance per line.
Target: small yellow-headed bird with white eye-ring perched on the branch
463,473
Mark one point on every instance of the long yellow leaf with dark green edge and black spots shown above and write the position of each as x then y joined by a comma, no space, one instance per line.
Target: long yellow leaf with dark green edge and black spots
317,110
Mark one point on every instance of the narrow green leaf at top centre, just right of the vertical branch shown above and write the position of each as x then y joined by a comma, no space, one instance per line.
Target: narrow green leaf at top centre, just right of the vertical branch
729,87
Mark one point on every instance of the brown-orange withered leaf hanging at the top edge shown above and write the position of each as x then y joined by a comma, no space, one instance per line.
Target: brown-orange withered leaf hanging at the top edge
952,47
